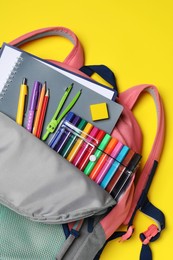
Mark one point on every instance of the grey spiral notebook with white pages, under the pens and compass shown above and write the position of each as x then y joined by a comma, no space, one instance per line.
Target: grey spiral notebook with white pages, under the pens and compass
16,64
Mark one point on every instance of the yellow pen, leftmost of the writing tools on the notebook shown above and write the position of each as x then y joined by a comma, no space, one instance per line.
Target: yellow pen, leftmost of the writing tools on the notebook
21,102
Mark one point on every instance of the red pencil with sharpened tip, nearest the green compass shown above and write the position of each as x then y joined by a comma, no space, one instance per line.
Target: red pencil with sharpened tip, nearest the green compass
42,114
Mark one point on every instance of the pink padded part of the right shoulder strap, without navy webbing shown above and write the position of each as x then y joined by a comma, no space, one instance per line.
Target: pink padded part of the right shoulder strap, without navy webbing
130,97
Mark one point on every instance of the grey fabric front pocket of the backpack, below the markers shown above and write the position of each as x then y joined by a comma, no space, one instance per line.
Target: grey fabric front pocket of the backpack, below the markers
38,183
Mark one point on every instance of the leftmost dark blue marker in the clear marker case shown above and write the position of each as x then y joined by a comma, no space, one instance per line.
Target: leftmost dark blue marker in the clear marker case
55,138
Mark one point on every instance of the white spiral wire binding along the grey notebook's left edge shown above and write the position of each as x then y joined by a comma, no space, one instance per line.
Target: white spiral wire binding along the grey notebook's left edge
11,77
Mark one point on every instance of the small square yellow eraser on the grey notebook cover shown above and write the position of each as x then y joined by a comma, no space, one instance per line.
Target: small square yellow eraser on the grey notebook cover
99,111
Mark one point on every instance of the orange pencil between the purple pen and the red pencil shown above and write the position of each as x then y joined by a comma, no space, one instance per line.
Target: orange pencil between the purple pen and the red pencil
40,104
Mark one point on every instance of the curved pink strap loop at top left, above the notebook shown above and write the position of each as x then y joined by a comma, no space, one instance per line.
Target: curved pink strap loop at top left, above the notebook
75,57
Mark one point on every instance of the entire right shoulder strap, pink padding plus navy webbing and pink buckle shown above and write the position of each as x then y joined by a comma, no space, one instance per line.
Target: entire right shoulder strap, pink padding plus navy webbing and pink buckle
141,201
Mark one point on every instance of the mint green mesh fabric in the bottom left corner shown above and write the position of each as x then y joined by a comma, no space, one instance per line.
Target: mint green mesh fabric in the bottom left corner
23,239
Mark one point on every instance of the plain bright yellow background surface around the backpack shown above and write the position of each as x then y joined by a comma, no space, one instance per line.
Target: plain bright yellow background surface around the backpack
135,39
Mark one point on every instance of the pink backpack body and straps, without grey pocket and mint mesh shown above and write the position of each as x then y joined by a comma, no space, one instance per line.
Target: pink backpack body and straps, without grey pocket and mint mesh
96,231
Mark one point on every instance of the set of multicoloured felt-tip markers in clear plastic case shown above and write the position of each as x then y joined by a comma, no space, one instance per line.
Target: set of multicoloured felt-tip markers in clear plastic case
112,154
